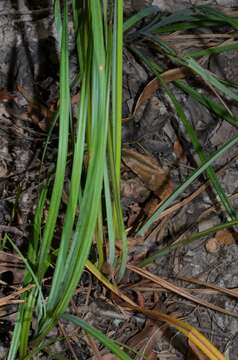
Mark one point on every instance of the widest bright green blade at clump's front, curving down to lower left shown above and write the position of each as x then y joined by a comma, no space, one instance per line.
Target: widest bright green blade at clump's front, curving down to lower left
91,196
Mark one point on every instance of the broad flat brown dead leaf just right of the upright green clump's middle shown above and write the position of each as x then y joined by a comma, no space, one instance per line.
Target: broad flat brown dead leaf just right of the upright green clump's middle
147,169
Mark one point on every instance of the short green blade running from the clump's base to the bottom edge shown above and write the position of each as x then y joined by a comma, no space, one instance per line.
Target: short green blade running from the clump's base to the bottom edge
108,343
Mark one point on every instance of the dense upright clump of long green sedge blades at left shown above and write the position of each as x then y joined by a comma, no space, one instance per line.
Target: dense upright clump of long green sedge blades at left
98,31
